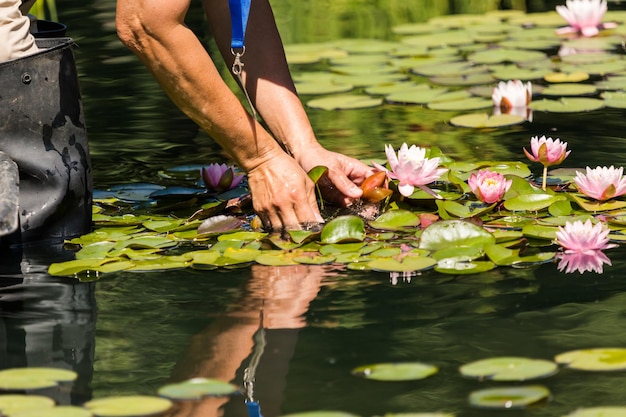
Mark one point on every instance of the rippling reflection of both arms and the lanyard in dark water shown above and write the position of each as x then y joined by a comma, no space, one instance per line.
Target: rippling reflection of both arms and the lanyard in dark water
253,340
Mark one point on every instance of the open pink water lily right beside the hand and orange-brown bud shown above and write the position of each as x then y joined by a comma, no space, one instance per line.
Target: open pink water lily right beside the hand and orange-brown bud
411,168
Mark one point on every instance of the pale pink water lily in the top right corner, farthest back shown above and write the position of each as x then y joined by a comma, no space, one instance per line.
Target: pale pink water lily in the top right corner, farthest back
584,17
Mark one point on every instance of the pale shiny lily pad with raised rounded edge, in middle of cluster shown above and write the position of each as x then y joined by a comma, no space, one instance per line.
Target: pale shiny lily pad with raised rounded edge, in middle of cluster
449,233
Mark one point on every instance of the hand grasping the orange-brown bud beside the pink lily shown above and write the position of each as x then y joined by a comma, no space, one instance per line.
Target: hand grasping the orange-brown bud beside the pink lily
345,174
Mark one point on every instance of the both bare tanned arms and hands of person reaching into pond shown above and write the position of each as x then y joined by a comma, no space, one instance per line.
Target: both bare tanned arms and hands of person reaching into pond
277,160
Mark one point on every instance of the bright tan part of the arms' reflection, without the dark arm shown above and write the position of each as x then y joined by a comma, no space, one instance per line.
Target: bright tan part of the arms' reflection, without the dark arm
284,294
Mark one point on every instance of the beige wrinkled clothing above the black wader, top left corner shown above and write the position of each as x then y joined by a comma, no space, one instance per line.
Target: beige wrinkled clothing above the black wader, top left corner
16,39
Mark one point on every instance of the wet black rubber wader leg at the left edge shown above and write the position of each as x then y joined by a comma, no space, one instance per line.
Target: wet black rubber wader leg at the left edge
42,129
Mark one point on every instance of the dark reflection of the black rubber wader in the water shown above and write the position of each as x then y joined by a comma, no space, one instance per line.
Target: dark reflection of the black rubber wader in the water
47,322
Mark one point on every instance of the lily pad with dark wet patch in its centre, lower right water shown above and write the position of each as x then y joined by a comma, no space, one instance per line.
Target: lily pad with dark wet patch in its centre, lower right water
510,397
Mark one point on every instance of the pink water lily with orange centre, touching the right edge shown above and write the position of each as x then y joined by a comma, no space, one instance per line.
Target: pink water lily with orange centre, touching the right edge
601,183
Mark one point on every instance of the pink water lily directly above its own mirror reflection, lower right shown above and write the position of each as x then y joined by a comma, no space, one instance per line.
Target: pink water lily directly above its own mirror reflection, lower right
579,237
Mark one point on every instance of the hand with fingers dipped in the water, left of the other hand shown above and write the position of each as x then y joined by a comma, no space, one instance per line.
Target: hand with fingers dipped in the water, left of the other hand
283,195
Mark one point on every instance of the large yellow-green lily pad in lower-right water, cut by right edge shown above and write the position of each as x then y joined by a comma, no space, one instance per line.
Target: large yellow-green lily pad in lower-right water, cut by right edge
597,359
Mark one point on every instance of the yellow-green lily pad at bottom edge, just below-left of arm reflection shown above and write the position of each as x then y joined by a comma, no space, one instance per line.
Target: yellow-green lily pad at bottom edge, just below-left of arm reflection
128,406
